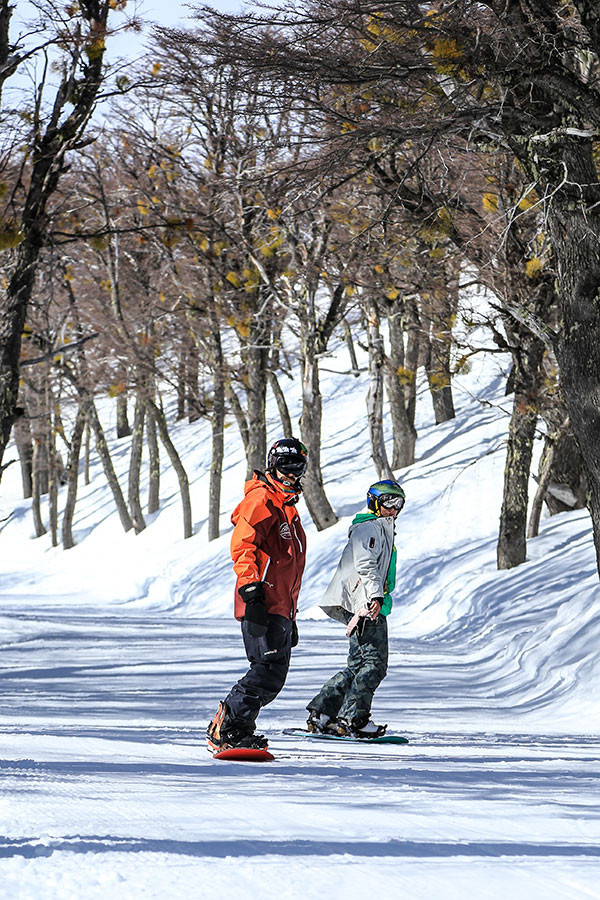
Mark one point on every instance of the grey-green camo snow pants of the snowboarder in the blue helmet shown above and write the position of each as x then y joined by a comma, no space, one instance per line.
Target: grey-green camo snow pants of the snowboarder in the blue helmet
349,694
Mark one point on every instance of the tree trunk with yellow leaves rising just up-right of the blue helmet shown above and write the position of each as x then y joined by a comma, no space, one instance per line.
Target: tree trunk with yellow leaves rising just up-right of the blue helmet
397,378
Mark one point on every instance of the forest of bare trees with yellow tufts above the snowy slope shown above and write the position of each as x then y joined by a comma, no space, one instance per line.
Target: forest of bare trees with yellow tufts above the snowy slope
261,183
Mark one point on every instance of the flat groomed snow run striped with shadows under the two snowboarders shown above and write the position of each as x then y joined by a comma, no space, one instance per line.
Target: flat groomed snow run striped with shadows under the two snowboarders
106,786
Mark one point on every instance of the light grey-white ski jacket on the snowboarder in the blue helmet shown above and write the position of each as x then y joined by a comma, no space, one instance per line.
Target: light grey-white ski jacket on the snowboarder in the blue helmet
363,567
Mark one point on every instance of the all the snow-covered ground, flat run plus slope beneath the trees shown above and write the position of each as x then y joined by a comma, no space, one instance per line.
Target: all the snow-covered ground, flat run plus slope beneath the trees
114,655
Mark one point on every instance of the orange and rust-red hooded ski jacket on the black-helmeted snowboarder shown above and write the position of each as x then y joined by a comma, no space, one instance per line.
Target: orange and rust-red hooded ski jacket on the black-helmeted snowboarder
268,544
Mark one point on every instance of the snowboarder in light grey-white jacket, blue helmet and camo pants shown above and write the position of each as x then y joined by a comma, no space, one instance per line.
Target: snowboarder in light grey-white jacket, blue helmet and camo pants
359,595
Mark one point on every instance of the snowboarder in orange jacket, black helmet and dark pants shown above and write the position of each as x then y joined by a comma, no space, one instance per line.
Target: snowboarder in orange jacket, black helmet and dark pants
268,548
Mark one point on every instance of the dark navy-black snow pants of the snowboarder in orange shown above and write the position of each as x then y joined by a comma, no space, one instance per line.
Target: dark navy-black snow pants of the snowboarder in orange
269,659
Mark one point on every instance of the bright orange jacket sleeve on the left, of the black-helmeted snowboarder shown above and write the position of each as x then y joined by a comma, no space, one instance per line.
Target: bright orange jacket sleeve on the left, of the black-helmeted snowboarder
250,561
